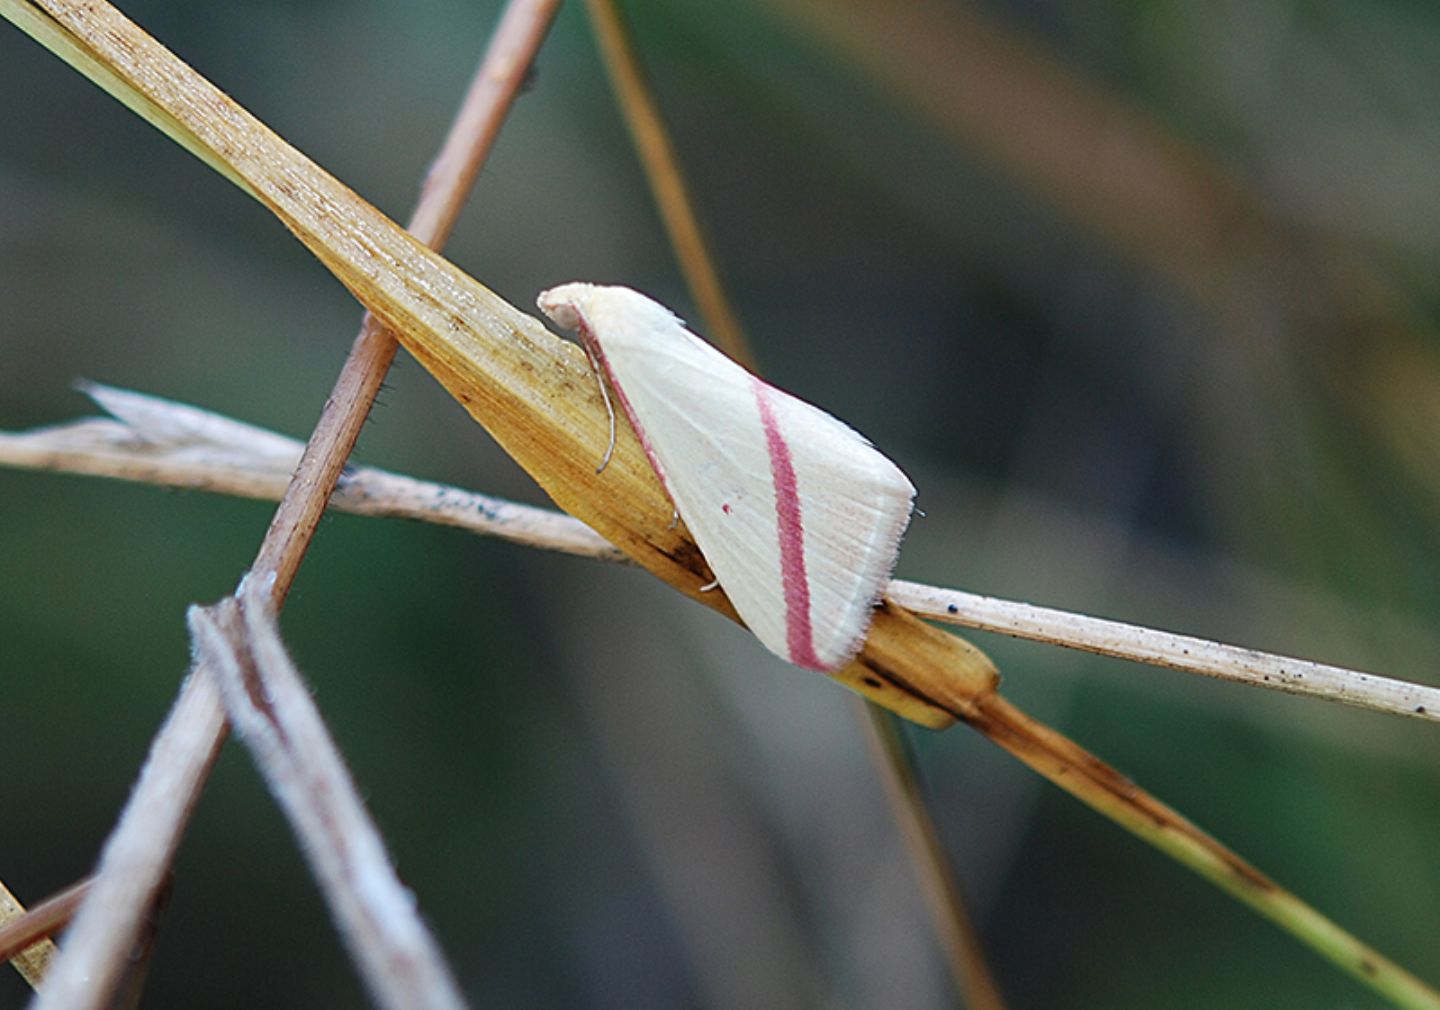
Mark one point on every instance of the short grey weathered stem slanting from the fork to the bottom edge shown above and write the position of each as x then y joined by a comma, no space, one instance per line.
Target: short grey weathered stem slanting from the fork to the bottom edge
274,714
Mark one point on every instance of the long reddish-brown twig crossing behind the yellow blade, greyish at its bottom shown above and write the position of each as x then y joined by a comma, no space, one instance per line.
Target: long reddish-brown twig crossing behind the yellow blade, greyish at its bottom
138,854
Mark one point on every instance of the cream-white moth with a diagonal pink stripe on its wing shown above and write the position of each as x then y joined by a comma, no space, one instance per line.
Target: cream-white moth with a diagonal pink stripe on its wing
797,514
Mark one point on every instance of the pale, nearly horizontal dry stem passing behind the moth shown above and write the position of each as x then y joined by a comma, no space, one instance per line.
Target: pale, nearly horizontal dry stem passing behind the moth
159,442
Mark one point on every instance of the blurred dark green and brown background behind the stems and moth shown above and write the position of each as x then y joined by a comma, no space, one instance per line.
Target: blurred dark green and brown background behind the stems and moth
1144,299
